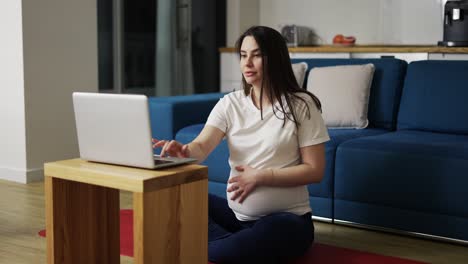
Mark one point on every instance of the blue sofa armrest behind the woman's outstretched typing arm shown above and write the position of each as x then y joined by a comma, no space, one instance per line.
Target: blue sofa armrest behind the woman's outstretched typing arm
169,114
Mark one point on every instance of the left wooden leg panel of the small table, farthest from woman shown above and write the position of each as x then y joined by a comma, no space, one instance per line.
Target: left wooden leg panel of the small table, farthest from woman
82,222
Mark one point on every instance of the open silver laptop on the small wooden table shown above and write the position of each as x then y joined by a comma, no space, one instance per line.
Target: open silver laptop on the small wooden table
115,128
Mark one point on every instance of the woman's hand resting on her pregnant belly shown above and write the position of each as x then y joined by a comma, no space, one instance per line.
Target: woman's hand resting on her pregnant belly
244,183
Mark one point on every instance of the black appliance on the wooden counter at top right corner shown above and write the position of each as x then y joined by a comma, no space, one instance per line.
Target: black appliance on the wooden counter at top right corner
455,24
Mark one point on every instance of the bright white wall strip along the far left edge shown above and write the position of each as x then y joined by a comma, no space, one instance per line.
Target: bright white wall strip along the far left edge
12,116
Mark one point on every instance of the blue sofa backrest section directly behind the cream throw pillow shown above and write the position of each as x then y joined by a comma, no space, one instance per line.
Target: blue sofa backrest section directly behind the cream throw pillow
385,90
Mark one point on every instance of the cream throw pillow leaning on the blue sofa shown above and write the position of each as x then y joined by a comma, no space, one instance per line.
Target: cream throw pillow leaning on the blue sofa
344,94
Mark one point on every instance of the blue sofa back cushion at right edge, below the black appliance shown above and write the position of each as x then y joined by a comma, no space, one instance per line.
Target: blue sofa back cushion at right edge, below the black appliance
435,96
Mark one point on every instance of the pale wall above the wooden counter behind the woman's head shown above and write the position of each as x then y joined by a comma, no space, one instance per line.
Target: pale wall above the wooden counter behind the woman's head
370,21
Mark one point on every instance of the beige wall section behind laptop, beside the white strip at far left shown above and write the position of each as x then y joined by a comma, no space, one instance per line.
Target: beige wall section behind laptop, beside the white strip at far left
60,47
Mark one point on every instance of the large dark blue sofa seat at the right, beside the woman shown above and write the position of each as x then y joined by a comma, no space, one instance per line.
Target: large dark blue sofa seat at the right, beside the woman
412,170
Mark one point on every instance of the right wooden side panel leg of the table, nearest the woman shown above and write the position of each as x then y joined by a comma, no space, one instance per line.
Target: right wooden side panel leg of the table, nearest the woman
171,224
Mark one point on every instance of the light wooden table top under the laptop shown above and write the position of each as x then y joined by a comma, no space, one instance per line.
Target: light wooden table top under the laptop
122,177
